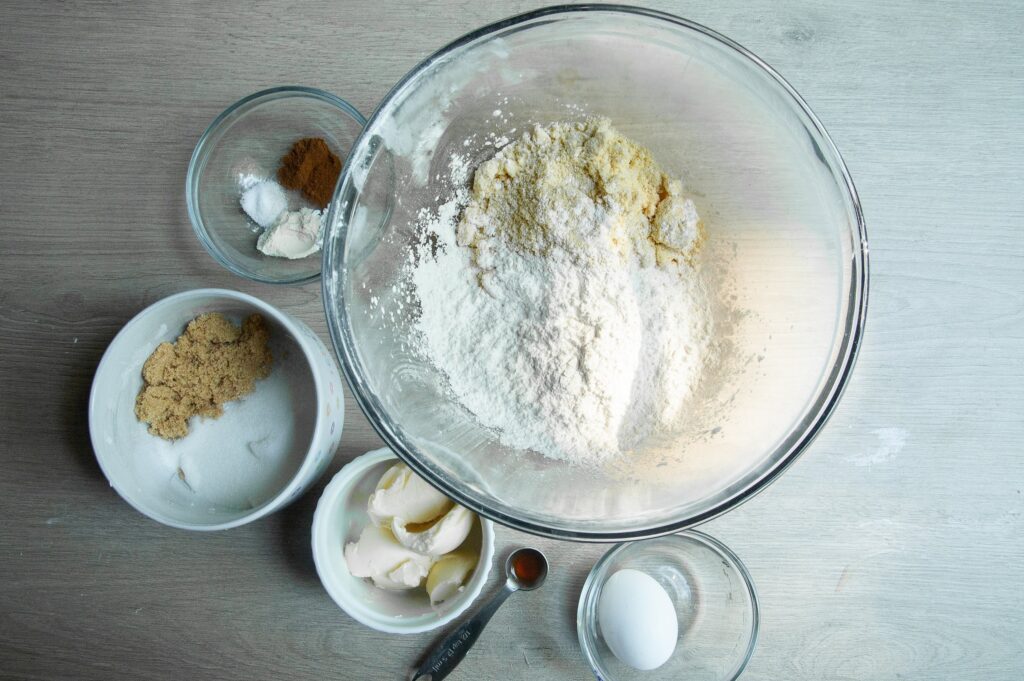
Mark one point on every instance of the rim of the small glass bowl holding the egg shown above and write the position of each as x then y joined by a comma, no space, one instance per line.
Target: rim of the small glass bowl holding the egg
600,569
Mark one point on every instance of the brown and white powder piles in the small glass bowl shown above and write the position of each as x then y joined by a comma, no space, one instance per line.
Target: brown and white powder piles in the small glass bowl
310,168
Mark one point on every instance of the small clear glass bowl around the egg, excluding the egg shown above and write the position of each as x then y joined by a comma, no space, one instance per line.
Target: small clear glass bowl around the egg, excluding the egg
714,599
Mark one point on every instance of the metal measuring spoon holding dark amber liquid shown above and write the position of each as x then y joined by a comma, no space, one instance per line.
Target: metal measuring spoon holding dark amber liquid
526,570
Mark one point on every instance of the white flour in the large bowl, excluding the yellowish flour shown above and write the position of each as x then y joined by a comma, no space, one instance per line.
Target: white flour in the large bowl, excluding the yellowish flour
577,353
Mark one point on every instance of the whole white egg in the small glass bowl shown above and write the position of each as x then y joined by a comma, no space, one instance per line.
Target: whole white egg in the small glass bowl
637,620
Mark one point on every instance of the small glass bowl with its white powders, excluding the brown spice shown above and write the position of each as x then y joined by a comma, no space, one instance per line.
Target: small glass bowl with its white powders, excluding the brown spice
236,163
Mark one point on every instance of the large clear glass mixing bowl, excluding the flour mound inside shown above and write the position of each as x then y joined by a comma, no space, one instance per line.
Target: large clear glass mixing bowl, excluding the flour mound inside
787,251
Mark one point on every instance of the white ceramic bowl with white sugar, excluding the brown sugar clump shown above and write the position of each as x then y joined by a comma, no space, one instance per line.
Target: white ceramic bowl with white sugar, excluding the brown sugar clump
266,450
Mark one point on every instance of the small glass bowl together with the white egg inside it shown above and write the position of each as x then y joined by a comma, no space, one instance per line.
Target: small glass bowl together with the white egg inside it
681,607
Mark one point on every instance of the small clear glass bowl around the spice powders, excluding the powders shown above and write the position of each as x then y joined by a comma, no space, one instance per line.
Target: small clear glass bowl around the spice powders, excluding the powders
249,139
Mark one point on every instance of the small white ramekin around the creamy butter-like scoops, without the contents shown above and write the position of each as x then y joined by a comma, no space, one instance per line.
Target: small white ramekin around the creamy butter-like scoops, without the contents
342,516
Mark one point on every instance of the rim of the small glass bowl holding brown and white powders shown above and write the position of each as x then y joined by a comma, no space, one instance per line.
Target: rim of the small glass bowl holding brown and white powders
203,150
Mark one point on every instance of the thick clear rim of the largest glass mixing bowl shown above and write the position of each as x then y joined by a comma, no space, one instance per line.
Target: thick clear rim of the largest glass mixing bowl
823,404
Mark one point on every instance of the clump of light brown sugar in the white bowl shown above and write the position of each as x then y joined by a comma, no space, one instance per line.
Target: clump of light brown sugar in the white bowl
212,363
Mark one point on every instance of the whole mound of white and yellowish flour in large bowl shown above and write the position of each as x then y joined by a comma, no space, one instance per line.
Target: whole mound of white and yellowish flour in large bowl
542,304
